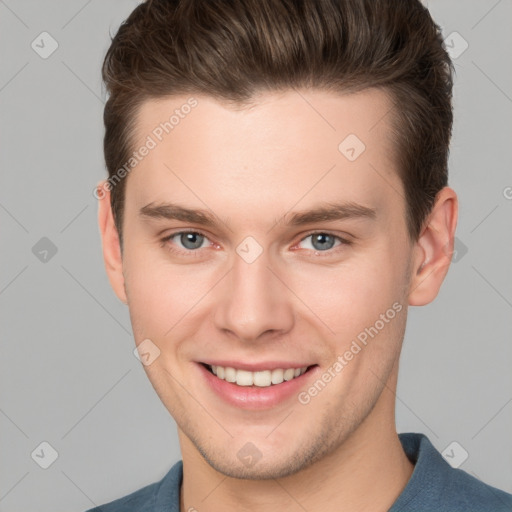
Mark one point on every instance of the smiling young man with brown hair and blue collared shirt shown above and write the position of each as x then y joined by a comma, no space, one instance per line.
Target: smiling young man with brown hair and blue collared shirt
277,198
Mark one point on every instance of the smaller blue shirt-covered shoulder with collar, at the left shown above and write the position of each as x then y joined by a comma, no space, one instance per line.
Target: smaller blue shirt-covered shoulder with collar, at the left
163,495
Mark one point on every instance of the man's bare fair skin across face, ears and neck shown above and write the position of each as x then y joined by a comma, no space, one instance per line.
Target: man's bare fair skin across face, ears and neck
250,167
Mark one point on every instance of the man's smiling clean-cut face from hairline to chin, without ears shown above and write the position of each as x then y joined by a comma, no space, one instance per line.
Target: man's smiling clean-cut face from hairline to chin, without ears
255,290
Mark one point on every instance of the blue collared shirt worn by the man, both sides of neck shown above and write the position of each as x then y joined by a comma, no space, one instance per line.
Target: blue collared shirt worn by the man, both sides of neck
433,487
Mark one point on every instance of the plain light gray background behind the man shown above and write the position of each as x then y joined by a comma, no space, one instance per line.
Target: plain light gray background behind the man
68,373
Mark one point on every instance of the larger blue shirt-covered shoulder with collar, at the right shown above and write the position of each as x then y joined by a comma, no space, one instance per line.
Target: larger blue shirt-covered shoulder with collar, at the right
437,486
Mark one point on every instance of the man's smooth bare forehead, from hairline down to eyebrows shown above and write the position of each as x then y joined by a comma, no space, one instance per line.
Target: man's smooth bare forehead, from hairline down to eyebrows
284,148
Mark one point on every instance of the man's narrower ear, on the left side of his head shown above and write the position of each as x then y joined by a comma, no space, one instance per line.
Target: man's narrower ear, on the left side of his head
110,241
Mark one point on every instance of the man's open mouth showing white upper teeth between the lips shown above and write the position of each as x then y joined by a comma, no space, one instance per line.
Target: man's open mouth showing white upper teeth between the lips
256,379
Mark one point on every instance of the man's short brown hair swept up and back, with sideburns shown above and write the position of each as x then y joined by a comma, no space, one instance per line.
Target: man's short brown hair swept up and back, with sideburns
232,50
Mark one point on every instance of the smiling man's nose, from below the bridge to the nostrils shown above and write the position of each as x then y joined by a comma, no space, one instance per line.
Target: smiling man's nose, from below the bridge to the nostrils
254,301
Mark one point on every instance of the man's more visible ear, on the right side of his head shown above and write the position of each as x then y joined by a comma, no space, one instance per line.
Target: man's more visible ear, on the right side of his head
434,249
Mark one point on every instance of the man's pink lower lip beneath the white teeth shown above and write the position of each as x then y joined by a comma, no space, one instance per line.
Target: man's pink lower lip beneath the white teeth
254,397
